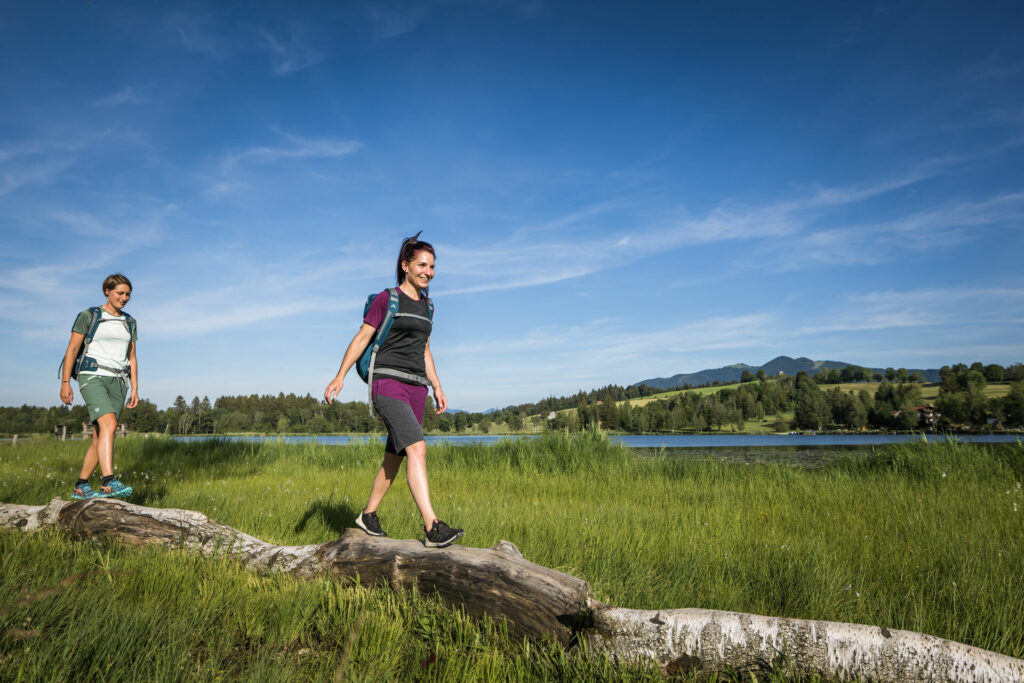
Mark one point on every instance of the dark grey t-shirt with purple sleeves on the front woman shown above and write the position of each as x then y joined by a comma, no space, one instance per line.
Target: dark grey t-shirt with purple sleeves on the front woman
407,341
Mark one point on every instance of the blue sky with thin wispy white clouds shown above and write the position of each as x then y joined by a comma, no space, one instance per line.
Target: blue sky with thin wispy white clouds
616,191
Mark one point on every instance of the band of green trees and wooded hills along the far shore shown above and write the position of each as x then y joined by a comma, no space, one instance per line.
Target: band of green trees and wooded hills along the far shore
897,404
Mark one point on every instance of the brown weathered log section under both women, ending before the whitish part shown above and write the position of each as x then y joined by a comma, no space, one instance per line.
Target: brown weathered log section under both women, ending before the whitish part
495,582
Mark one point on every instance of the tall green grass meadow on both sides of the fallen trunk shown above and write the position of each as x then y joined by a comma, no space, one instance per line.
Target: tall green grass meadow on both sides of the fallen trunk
921,537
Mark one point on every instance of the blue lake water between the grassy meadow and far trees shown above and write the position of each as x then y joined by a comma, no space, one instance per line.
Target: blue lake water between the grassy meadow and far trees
808,451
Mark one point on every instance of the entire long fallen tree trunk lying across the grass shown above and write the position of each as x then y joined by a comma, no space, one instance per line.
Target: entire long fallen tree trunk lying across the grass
538,602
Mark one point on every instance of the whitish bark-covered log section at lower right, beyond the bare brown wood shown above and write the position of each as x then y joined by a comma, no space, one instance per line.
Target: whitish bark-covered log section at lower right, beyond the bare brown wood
713,641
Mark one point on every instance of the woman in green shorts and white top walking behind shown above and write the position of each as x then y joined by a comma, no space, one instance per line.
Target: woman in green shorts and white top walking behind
109,363
